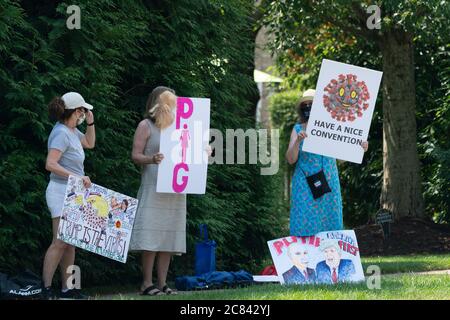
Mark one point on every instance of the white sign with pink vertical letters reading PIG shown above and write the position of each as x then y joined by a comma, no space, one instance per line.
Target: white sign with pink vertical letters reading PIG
184,146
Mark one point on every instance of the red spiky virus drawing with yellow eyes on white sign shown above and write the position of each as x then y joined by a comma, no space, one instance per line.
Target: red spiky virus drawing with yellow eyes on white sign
346,98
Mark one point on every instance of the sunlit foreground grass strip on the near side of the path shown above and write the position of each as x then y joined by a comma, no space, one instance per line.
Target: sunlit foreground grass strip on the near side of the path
404,287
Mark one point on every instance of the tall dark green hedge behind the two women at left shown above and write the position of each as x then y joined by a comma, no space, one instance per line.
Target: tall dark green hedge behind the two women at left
122,51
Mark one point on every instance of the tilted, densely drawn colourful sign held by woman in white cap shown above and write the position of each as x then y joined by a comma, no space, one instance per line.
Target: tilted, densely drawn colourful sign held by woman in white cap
97,219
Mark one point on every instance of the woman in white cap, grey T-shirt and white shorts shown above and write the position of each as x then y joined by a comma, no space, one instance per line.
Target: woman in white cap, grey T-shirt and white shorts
65,157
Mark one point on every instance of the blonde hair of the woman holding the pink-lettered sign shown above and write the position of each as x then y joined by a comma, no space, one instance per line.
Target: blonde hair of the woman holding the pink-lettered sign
160,106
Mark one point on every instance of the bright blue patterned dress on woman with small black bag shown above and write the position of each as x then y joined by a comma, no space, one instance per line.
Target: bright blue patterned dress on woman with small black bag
309,216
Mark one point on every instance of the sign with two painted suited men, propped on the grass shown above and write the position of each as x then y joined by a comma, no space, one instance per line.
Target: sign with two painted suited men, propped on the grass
328,257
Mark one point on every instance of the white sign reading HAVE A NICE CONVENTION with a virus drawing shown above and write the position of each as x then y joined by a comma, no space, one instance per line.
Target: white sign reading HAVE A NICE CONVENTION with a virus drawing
342,110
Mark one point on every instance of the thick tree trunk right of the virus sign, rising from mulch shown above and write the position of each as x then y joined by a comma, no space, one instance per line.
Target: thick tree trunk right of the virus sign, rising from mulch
401,190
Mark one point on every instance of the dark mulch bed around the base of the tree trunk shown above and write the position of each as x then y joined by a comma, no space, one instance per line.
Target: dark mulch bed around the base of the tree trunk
408,236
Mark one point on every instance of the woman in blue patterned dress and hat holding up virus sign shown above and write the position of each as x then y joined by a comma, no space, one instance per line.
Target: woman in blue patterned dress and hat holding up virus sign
310,216
